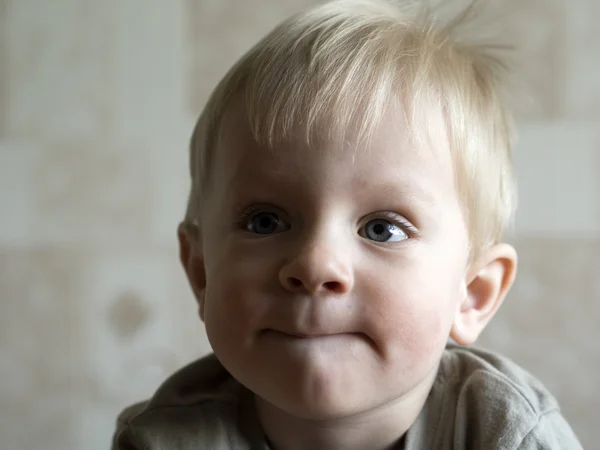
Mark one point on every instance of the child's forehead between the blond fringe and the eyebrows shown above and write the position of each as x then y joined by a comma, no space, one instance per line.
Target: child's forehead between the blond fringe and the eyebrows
392,153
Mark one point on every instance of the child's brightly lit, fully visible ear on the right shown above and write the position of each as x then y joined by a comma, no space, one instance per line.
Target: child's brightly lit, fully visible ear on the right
488,282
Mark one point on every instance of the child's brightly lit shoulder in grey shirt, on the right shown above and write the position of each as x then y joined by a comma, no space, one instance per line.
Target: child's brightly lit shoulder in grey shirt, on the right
484,400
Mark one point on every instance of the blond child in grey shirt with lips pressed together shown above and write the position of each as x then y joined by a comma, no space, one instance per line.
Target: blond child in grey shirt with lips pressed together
351,182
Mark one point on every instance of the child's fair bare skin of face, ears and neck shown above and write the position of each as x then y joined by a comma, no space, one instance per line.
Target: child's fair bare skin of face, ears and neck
330,277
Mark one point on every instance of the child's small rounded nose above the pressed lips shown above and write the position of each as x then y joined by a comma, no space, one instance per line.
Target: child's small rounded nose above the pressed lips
318,269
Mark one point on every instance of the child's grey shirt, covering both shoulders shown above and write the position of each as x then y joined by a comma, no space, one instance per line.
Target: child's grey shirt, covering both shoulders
478,401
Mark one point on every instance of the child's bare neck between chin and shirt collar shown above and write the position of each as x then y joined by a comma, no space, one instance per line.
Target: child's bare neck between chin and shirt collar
380,428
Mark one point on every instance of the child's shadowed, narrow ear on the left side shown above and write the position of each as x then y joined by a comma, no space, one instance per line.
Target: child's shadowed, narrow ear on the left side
191,256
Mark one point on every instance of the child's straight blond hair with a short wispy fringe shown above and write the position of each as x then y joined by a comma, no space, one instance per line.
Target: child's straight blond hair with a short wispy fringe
340,64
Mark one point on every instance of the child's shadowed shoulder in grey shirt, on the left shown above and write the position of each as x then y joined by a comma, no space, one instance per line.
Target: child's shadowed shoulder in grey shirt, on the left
199,404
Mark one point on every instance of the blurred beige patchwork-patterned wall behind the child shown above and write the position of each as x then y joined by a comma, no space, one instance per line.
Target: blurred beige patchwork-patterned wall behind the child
97,101
